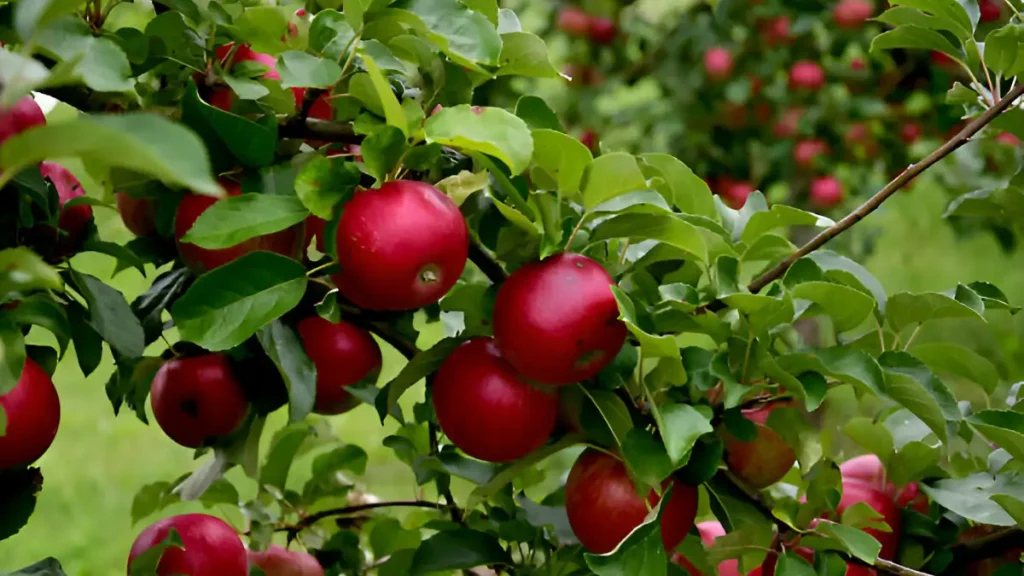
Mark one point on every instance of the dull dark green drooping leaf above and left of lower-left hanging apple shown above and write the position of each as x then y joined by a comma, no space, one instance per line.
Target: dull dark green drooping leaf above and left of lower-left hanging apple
111,316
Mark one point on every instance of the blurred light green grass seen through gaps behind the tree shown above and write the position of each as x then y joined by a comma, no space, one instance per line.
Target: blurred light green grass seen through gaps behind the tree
99,462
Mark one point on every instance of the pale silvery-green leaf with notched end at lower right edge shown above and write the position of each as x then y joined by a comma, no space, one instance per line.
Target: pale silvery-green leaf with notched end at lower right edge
971,497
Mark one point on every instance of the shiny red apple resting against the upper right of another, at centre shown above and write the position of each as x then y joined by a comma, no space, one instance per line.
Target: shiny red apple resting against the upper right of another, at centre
557,321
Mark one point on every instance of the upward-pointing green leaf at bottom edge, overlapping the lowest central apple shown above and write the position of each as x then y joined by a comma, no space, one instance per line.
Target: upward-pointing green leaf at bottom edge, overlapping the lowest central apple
641,553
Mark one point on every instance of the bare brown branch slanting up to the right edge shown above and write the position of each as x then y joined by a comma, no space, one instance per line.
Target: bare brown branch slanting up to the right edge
900,182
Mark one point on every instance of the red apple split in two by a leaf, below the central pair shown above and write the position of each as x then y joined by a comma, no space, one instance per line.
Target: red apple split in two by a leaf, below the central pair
604,506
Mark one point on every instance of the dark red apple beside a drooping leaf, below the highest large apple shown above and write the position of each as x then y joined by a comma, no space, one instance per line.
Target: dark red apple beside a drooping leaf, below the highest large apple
344,355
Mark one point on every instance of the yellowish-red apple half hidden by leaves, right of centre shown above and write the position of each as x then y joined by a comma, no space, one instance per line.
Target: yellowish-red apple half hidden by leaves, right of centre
764,461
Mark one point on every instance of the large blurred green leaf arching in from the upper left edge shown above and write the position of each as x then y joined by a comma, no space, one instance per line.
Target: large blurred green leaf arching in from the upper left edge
141,142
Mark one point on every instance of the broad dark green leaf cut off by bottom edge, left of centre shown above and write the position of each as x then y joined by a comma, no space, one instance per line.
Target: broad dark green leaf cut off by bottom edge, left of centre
459,550
